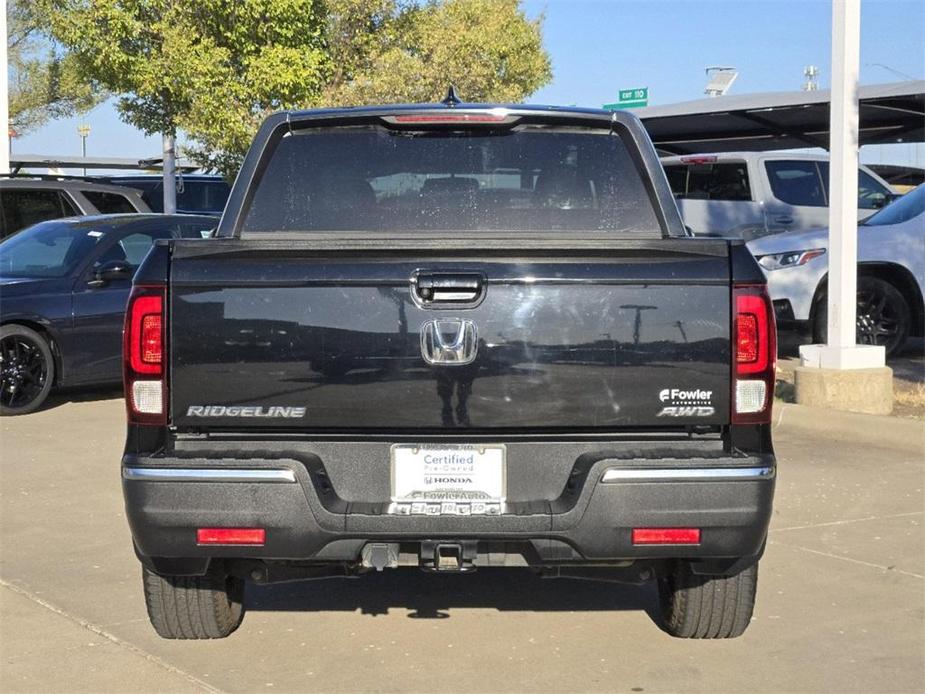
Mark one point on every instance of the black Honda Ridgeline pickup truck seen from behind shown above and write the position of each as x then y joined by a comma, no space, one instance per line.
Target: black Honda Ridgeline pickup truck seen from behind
449,336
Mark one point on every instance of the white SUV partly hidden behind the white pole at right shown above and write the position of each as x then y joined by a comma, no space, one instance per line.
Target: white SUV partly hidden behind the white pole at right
891,275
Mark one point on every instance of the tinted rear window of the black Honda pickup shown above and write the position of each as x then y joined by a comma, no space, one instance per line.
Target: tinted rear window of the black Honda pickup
375,179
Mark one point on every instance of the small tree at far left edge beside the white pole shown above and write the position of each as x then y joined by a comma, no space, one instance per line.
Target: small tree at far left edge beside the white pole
44,83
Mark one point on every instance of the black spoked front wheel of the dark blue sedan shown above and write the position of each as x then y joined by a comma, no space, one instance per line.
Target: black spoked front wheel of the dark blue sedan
27,370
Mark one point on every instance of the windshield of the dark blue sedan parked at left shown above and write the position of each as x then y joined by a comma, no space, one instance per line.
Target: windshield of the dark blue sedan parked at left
49,249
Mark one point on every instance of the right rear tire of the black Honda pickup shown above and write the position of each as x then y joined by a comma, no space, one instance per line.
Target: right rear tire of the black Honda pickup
707,607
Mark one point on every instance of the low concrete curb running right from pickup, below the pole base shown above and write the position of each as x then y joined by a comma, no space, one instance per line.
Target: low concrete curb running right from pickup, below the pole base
865,429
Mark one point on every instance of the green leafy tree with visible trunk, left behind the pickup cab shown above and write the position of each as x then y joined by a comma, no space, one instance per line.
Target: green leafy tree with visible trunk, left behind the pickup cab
180,62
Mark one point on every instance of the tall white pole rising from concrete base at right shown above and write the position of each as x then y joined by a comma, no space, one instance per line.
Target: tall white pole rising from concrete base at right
843,174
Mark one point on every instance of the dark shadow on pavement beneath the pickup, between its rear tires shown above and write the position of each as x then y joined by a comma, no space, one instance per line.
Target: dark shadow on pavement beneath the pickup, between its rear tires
431,596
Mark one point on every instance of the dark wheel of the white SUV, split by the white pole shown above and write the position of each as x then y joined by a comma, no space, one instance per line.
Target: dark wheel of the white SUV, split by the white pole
883,315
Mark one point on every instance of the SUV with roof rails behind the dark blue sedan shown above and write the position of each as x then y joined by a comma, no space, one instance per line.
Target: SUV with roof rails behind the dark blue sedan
26,201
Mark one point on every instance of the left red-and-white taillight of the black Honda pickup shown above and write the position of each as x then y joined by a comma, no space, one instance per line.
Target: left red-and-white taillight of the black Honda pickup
144,355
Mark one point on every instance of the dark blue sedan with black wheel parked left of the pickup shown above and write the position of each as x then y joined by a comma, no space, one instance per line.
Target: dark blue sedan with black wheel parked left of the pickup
63,289
